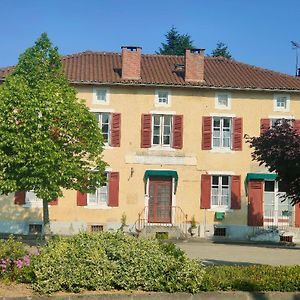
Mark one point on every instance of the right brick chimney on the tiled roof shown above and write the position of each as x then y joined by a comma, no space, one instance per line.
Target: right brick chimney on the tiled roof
194,65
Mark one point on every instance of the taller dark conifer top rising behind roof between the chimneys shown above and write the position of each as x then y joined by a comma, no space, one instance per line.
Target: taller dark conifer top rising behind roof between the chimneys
176,43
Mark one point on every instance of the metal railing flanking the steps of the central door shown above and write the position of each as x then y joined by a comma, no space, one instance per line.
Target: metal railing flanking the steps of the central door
176,218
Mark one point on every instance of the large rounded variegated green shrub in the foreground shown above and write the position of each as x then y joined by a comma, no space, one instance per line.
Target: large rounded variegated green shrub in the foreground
114,261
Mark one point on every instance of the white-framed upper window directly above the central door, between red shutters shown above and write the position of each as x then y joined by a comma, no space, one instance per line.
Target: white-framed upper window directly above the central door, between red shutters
162,130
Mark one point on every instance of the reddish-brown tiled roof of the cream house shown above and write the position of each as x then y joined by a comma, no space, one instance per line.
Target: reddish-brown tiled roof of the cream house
103,67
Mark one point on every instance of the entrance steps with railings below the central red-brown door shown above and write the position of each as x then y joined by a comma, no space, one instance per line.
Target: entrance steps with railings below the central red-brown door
177,228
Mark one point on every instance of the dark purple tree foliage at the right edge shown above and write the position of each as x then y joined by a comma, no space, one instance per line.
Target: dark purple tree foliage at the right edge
279,150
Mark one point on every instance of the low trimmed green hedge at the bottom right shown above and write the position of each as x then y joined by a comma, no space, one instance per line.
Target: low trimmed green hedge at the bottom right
252,278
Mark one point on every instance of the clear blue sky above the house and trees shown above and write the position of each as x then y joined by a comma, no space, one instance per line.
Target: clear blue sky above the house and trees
257,32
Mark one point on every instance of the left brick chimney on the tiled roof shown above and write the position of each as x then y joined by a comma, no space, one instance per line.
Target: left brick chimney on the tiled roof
131,62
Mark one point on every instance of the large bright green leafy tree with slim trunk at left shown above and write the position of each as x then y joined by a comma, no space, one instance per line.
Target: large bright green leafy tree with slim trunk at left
49,140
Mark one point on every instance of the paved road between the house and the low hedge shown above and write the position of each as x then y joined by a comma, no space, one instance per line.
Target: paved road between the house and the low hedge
229,254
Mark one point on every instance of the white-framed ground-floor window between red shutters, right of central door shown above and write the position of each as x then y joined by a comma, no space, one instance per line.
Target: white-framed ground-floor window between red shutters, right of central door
220,191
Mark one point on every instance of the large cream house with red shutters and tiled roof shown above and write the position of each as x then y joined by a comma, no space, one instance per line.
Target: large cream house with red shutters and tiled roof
174,128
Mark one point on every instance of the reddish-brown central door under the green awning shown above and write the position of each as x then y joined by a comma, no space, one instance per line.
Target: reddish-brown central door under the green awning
160,200
